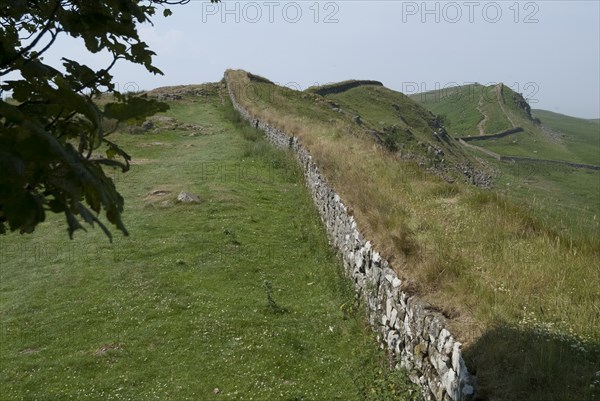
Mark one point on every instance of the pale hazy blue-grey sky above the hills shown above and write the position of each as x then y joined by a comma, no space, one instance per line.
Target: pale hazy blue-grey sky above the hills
548,50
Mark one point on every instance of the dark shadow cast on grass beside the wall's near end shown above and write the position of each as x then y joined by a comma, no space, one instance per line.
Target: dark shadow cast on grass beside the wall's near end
526,365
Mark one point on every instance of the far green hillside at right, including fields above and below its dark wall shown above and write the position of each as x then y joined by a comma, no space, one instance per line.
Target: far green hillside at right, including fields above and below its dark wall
563,197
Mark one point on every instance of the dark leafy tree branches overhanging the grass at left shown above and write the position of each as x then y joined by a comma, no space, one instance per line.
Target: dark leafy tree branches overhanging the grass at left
54,139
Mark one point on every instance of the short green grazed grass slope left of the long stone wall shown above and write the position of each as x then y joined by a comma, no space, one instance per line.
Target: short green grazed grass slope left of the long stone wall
240,292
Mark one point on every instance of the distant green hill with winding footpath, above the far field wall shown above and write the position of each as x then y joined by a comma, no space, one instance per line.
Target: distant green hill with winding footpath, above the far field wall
477,110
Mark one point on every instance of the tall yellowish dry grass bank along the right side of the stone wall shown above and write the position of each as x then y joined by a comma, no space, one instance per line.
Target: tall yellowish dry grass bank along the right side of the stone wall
521,294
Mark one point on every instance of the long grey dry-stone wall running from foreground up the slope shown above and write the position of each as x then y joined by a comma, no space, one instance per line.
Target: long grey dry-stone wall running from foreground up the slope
414,335
